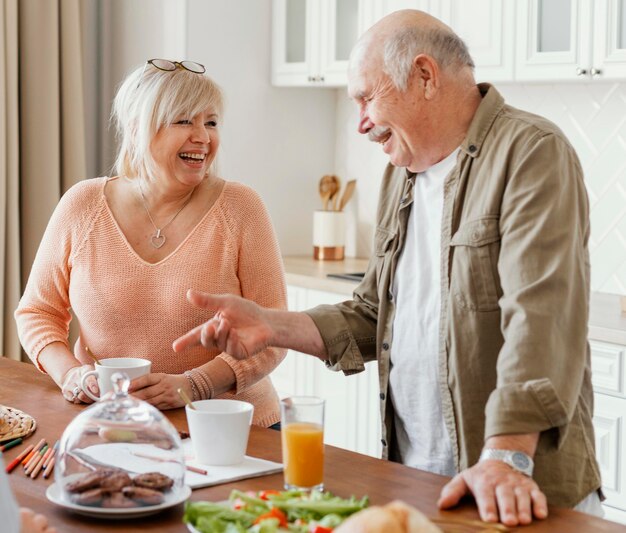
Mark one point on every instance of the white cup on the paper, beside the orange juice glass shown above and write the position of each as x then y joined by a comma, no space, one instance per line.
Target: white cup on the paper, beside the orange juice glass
219,430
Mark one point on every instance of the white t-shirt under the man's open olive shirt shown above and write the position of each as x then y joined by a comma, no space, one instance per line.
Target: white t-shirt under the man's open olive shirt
422,437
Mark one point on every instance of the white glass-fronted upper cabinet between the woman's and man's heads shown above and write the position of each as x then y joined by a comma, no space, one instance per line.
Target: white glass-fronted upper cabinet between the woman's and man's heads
312,40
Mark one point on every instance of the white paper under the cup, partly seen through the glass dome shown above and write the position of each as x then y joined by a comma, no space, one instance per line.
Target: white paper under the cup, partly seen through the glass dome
124,455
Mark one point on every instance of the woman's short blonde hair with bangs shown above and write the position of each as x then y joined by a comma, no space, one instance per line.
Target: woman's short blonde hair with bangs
149,99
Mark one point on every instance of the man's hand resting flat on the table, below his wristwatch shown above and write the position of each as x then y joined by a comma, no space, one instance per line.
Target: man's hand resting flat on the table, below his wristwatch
499,491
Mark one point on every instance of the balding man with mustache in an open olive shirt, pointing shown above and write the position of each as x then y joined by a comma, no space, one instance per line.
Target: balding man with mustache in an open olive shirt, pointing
475,301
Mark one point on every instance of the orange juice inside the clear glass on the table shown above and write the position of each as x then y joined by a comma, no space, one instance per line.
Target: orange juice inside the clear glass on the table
303,454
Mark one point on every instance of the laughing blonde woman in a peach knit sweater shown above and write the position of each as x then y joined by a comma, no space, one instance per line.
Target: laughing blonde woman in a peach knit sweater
122,251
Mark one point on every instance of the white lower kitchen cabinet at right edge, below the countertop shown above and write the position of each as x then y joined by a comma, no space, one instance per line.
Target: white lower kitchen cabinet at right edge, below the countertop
608,373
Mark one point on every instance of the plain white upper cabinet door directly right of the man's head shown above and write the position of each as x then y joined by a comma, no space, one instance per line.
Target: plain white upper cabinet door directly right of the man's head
488,29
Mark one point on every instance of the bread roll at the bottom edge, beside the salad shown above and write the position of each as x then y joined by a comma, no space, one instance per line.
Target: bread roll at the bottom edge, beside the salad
395,517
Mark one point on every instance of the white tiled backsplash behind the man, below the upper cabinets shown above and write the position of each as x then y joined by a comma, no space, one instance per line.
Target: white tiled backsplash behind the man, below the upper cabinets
592,115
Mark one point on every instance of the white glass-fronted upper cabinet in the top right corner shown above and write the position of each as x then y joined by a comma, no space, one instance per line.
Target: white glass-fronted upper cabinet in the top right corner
571,40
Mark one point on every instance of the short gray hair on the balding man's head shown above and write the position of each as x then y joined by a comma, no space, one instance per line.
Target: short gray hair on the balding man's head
445,46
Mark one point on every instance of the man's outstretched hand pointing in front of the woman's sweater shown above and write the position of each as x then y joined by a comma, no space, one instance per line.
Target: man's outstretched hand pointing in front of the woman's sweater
238,328
